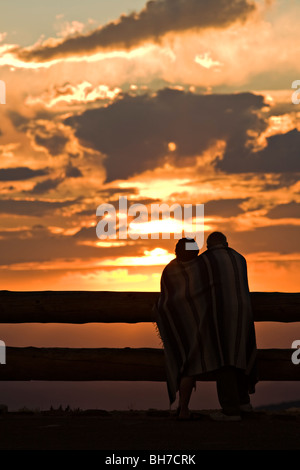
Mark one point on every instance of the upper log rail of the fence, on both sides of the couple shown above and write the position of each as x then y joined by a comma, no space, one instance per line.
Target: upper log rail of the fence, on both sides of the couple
120,307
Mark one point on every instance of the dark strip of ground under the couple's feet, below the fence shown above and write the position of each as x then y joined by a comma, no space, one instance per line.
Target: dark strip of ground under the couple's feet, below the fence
147,430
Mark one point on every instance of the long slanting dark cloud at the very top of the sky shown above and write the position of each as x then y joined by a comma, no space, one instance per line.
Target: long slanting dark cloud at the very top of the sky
156,19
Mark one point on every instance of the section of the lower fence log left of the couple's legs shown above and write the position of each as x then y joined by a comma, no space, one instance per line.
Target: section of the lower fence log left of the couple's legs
83,364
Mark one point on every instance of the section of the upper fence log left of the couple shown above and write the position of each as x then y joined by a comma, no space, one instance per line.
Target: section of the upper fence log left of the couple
76,307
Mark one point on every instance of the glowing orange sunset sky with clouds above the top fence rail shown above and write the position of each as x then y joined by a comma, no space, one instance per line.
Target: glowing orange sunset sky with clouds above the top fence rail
167,101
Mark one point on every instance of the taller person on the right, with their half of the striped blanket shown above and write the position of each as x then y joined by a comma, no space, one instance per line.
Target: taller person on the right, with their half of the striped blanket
229,283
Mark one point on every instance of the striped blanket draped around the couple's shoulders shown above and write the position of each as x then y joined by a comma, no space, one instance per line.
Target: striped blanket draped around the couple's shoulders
204,316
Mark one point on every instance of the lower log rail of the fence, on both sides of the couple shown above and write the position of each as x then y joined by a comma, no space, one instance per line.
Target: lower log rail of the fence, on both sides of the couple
145,364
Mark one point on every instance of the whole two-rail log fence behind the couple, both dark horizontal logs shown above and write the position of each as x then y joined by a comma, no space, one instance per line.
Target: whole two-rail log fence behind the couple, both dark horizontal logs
127,364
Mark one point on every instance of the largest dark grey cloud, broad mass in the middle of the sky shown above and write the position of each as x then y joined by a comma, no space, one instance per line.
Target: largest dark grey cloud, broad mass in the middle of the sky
134,131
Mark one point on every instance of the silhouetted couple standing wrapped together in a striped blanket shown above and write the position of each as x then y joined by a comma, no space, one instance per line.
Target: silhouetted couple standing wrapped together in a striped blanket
205,321
